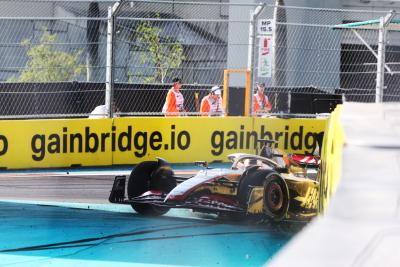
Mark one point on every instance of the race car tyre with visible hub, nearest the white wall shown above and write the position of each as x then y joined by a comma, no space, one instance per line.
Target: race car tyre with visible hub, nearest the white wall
276,197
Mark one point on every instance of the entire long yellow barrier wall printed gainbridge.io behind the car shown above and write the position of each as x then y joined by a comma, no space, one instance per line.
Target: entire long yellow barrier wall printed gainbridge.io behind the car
102,142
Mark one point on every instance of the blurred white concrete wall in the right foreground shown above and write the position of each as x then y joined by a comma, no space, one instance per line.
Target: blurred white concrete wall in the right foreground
361,224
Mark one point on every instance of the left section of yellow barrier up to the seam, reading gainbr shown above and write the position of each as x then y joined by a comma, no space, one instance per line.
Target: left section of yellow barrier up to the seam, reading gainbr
54,143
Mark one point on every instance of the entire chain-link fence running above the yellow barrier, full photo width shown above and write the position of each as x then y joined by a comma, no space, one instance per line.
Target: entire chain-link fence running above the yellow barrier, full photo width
62,58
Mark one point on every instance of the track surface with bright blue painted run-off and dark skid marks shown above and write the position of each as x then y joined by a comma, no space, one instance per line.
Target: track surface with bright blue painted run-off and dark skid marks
60,219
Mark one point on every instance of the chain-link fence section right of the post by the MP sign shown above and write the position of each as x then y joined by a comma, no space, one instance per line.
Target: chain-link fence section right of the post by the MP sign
316,48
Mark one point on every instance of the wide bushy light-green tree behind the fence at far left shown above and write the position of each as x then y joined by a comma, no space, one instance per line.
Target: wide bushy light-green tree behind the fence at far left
45,64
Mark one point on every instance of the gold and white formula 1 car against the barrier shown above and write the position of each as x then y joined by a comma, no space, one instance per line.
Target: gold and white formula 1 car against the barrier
271,185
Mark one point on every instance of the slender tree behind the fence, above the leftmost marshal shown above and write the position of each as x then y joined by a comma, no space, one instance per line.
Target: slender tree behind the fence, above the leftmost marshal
165,56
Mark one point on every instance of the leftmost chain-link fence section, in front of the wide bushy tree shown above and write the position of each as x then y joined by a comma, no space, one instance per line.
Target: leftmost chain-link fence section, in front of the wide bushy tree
52,57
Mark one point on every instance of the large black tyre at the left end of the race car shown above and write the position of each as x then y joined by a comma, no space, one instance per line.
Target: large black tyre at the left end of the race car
149,175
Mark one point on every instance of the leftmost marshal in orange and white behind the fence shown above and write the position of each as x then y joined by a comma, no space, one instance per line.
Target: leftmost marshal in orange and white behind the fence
174,102
